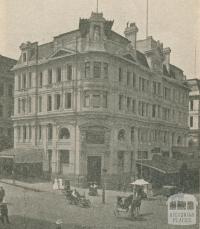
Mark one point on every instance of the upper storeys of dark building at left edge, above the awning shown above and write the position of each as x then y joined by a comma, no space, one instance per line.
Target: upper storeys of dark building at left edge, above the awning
6,96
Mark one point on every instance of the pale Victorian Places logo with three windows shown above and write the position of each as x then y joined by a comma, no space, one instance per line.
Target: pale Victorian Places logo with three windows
182,209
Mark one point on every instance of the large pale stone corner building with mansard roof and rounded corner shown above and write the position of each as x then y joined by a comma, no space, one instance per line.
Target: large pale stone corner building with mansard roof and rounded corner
95,101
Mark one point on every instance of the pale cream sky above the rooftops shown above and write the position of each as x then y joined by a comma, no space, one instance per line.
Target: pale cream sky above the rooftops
176,23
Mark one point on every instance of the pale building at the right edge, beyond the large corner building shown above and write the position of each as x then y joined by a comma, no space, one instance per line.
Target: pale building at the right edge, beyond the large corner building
194,114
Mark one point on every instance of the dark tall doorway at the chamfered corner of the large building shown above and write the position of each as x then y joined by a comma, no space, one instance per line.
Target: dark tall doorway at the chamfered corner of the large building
94,169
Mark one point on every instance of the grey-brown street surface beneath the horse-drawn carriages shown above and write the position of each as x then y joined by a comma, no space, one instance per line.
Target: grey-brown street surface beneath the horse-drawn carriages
40,210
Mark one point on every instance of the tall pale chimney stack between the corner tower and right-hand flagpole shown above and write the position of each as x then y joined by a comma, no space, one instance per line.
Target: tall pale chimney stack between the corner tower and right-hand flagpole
131,33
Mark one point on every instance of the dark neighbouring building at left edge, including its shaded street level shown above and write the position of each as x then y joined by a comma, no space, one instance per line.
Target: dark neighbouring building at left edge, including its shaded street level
6,109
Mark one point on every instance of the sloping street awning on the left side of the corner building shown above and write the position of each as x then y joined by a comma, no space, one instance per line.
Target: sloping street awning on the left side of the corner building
23,155
